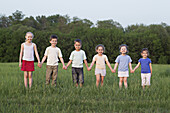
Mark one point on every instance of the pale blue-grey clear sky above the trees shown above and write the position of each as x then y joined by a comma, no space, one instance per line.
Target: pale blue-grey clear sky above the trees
126,12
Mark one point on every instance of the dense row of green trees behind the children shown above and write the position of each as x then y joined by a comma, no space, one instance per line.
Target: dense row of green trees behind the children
111,34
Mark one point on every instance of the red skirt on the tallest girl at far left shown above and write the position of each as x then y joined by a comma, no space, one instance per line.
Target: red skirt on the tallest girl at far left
27,65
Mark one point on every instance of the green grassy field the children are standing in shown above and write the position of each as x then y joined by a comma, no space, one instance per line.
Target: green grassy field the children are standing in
68,99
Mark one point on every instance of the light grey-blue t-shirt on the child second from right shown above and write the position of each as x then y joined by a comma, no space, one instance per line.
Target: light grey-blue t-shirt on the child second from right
123,62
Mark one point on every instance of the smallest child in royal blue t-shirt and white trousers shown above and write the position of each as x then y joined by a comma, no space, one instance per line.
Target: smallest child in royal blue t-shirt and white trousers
146,68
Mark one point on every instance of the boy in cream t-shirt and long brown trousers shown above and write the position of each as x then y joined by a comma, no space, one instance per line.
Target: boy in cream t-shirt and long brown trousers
52,53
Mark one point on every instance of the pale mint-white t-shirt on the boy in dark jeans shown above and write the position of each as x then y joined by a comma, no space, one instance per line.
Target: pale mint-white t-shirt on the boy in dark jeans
77,58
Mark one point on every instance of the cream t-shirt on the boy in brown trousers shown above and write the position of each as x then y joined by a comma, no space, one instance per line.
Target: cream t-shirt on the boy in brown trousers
52,54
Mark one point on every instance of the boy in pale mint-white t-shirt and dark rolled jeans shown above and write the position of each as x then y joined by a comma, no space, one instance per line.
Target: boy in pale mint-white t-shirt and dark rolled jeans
76,58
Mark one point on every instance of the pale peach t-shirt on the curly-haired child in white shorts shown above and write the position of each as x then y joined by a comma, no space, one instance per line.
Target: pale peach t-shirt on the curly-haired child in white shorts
100,61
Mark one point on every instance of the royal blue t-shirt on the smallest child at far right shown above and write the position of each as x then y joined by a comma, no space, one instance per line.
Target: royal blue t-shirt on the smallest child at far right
145,65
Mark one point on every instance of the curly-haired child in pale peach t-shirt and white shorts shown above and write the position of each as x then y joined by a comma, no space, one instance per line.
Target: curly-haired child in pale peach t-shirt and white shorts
100,60
